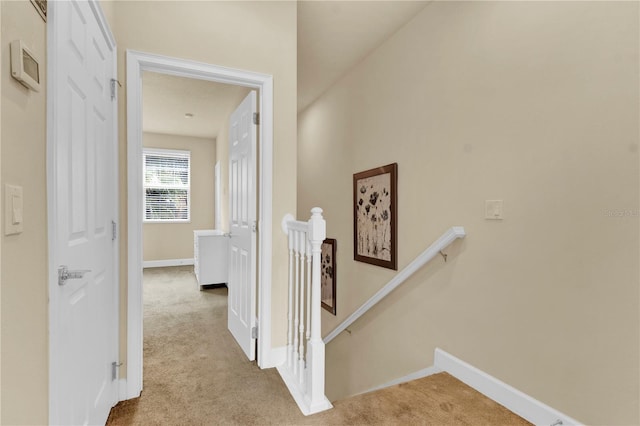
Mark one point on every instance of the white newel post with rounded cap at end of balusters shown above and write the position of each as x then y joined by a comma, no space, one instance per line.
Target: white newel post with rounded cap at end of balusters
317,232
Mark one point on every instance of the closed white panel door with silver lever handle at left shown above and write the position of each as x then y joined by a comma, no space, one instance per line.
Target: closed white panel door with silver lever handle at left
83,300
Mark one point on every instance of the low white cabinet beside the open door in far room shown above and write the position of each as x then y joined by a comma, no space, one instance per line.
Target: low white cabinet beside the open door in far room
210,256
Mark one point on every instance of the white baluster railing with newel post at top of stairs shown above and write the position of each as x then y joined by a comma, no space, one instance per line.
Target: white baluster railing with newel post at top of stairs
304,370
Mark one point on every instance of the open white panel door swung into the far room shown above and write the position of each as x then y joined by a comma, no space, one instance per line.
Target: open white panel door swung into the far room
242,217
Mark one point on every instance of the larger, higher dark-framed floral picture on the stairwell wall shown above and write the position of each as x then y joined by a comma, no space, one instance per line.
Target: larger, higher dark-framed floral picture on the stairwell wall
375,216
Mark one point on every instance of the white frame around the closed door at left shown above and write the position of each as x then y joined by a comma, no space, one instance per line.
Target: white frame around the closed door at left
55,352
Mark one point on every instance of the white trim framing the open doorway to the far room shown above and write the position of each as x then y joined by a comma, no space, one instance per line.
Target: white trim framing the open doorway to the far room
136,63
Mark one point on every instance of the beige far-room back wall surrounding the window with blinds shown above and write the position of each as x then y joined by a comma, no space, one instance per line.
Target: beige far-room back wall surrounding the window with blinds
162,241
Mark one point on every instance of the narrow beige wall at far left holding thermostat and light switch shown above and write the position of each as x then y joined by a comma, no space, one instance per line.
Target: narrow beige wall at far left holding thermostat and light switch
24,321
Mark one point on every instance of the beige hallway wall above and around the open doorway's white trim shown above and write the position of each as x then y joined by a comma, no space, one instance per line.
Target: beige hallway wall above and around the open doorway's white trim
255,36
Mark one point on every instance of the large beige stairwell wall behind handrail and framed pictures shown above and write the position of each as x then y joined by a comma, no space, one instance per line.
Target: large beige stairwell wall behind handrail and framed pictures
533,103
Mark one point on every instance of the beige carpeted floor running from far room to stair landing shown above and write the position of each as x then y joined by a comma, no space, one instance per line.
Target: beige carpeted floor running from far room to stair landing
195,374
